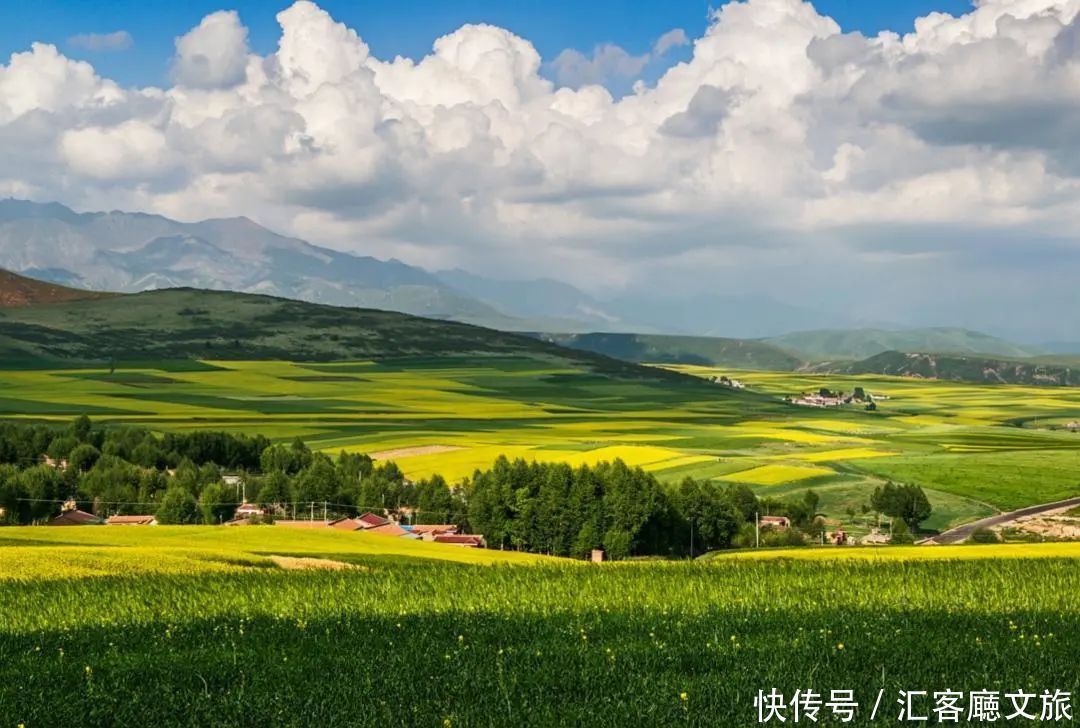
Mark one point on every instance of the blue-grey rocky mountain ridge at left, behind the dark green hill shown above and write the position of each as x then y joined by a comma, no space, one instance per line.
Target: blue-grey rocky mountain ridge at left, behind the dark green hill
132,252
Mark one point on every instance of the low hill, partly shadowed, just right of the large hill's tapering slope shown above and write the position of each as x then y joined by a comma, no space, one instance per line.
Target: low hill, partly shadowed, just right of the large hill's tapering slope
704,350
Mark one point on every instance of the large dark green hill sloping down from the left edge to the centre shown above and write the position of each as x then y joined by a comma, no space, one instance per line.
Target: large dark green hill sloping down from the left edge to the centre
188,323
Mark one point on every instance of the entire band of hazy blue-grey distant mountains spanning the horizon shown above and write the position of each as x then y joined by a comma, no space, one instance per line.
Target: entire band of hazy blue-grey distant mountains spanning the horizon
133,252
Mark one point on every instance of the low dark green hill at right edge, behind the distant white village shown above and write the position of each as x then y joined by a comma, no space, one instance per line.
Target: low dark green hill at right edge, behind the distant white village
954,368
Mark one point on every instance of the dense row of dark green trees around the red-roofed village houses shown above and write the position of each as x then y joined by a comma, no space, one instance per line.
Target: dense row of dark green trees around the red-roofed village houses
544,508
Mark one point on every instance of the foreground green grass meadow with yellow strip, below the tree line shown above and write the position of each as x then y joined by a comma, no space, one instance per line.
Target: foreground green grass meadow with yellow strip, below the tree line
214,635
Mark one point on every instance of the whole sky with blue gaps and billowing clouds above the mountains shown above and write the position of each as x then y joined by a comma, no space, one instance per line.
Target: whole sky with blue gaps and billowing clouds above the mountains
915,163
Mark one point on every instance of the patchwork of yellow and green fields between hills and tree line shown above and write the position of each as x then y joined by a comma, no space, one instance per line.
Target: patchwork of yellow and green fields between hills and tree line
975,449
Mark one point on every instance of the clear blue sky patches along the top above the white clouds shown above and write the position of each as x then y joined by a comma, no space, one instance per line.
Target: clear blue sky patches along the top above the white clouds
404,28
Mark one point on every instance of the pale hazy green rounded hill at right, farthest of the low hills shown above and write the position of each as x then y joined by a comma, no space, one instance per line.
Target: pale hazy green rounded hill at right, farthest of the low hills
856,344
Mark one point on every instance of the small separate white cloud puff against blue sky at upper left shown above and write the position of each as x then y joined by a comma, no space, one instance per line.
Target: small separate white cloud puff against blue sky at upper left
214,55
